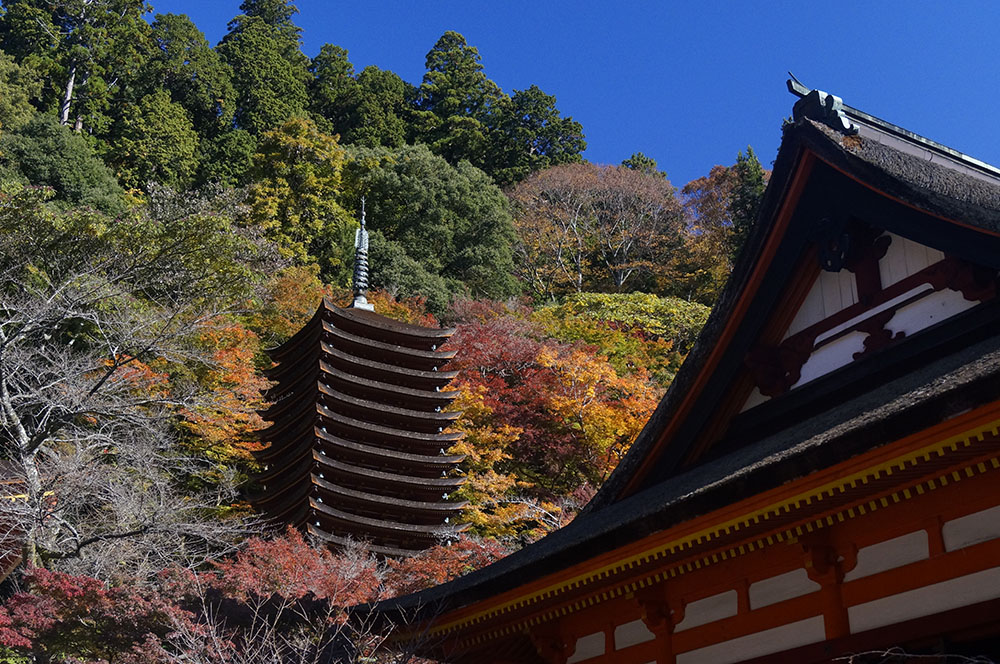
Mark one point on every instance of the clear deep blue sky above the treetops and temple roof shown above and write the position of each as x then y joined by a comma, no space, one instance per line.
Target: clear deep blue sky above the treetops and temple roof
689,84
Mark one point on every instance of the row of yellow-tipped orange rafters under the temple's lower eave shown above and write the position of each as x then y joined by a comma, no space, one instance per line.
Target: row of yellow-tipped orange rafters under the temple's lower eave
889,475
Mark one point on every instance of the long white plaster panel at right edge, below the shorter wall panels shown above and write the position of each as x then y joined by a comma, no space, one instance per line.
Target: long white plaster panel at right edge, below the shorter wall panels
935,598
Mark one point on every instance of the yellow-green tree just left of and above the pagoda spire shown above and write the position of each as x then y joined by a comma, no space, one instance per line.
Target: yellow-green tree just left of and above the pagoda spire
297,173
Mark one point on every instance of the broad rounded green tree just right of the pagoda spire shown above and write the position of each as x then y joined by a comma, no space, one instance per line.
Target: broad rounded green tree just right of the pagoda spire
452,220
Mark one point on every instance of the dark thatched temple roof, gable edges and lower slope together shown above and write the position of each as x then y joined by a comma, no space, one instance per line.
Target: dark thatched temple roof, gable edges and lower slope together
881,156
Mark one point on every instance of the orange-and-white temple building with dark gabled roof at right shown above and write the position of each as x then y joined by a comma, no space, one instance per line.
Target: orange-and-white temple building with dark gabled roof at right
822,479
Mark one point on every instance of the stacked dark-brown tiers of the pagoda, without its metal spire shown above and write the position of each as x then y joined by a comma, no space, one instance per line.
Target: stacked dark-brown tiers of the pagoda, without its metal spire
358,440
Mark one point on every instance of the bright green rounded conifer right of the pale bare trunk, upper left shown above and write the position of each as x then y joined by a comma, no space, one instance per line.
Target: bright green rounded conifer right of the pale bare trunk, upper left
155,142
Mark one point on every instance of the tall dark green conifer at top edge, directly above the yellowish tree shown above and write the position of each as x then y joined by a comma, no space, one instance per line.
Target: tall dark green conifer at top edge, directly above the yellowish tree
269,72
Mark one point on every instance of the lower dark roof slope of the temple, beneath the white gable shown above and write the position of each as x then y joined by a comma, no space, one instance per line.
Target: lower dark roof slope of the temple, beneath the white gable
954,383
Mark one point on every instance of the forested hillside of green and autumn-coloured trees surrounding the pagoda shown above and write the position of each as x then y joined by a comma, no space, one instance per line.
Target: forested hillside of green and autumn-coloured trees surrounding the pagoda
170,208
